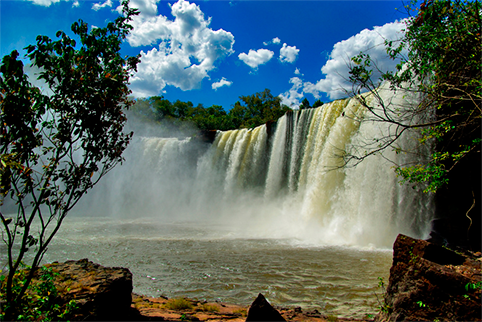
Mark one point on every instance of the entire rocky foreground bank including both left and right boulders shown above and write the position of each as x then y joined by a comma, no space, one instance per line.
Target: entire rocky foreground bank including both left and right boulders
428,282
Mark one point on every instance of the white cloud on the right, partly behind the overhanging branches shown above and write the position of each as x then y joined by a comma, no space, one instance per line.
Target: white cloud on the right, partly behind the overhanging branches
336,82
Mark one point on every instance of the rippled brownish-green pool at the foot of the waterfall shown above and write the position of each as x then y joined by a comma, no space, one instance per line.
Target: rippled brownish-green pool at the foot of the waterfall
207,261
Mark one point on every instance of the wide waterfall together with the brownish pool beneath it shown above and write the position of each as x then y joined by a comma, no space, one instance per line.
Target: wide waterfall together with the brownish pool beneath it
267,210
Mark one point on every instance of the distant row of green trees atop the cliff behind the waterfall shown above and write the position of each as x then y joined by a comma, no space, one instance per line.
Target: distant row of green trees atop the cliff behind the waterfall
251,111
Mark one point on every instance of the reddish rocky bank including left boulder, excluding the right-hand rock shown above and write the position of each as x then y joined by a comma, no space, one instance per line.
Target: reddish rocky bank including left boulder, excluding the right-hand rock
105,294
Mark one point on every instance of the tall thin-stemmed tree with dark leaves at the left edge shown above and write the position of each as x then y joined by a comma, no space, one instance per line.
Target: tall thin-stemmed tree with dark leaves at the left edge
55,148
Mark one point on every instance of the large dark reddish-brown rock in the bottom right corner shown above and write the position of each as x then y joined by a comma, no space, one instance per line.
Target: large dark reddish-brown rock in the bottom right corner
429,282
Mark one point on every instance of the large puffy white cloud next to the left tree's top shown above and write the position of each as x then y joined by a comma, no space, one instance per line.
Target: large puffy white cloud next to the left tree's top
187,48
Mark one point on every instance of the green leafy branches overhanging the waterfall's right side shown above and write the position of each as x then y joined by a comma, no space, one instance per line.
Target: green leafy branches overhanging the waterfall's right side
439,57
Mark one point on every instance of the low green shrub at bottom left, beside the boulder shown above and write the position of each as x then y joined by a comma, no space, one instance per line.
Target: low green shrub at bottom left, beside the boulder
40,302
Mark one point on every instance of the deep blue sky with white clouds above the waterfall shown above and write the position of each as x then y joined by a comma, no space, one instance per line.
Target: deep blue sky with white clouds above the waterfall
213,51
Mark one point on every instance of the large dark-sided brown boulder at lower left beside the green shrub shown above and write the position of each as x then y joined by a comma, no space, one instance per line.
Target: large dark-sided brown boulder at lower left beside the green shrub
101,293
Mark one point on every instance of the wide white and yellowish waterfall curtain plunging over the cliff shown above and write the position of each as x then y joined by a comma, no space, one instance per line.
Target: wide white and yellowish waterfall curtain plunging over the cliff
287,184
